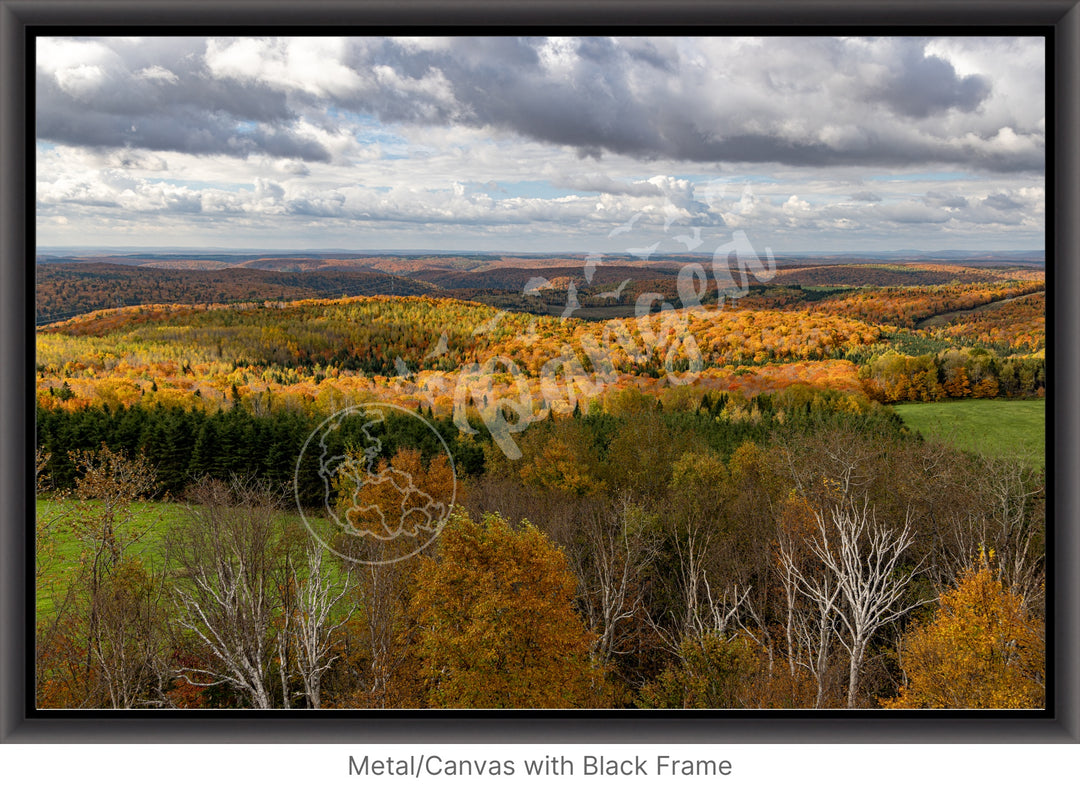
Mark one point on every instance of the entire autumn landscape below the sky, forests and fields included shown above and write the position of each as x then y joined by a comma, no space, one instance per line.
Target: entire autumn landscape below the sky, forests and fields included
661,484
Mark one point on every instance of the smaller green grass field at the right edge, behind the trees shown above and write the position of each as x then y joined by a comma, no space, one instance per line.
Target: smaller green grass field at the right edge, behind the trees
1000,428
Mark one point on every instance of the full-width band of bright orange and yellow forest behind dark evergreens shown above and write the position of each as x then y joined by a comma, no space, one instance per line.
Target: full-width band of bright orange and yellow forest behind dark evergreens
305,354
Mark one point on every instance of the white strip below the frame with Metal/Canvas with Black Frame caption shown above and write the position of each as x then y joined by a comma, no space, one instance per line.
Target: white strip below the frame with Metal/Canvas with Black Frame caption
911,772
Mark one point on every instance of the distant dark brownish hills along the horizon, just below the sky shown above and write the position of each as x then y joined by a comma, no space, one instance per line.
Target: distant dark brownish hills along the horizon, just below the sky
69,288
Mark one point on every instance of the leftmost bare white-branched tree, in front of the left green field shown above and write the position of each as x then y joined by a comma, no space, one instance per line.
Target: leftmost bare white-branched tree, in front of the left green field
226,591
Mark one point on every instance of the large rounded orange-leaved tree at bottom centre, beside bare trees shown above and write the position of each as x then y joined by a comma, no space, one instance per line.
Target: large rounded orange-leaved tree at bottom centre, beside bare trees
497,624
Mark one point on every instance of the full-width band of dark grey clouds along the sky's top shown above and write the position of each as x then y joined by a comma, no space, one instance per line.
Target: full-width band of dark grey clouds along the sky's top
795,102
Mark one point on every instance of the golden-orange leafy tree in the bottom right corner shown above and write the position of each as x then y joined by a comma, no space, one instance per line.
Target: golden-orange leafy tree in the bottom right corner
982,651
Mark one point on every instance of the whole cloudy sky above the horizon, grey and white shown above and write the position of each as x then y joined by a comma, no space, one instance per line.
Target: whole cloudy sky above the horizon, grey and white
542,145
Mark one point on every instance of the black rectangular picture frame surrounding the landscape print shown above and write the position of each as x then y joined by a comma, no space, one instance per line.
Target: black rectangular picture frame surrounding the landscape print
22,20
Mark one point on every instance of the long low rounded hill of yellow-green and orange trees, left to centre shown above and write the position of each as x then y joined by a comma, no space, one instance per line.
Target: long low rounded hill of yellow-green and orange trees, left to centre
373,335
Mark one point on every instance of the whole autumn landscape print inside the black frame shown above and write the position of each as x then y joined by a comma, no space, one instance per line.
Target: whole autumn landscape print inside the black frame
541,373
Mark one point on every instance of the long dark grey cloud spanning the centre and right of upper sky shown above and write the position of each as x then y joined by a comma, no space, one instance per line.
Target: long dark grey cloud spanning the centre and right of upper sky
767,104
